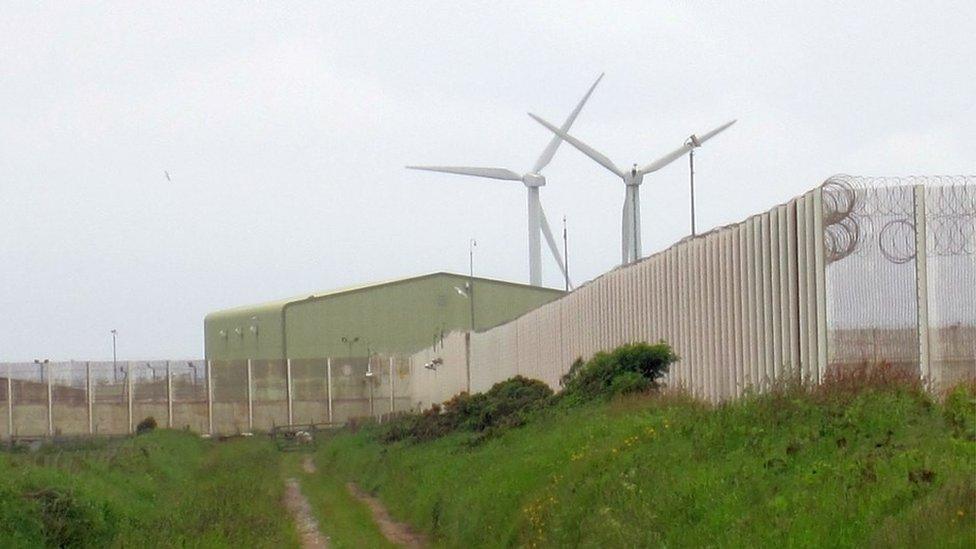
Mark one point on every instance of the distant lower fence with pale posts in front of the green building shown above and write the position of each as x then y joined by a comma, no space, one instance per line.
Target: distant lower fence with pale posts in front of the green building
218,397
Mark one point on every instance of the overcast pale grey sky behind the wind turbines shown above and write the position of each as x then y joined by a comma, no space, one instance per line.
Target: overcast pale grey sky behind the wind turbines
285,130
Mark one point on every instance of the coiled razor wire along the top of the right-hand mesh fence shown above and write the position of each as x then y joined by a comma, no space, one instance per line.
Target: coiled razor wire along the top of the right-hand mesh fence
864,214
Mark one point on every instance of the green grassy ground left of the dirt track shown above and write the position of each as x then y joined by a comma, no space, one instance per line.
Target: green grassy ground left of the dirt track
162,489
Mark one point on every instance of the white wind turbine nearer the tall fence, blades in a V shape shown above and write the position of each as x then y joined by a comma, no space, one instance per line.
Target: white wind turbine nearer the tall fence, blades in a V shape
630,224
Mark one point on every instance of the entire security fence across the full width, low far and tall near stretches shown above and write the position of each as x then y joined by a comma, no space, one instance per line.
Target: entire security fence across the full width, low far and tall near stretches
858,270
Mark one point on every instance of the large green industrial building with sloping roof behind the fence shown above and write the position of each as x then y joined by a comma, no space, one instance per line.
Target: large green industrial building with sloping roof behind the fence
398,316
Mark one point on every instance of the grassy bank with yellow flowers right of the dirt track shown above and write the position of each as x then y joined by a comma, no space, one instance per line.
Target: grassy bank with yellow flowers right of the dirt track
855,463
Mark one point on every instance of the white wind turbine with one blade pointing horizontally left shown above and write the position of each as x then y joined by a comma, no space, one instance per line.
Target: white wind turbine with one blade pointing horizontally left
532,180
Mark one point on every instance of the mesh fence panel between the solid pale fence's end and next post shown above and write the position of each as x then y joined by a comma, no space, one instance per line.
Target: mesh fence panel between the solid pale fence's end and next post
869,242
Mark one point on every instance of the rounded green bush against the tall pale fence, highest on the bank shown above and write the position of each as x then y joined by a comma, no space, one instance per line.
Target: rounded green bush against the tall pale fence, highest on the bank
630,368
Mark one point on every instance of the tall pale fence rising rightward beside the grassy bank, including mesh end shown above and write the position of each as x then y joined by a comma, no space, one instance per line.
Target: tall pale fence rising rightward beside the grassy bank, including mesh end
857,270
